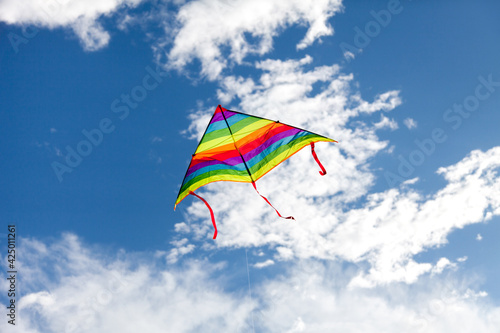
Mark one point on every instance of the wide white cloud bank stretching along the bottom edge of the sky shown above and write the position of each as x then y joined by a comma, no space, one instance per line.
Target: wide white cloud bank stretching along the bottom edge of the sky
86,289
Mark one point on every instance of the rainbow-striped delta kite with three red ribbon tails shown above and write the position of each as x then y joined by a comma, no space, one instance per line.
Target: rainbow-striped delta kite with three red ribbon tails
239,147
